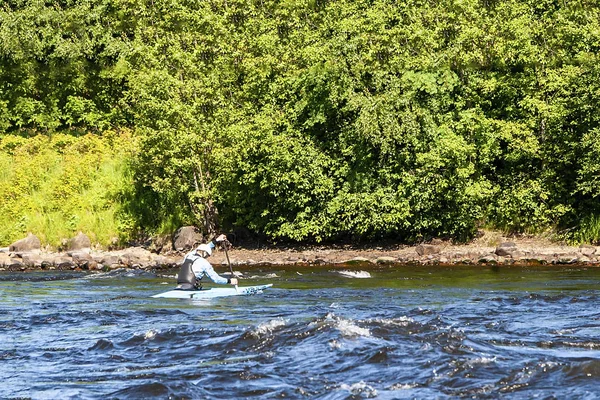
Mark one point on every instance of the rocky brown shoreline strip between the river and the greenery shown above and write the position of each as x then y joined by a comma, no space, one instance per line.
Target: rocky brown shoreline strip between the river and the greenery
27,255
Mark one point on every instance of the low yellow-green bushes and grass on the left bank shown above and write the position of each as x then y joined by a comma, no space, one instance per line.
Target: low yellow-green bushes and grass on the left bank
56,186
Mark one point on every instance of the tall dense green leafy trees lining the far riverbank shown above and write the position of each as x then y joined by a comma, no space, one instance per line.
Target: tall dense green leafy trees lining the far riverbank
325,119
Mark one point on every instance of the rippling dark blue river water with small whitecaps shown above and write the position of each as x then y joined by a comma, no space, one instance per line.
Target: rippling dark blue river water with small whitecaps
385,333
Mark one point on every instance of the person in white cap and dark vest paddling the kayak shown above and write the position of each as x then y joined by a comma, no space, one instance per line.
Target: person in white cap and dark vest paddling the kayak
195,267
